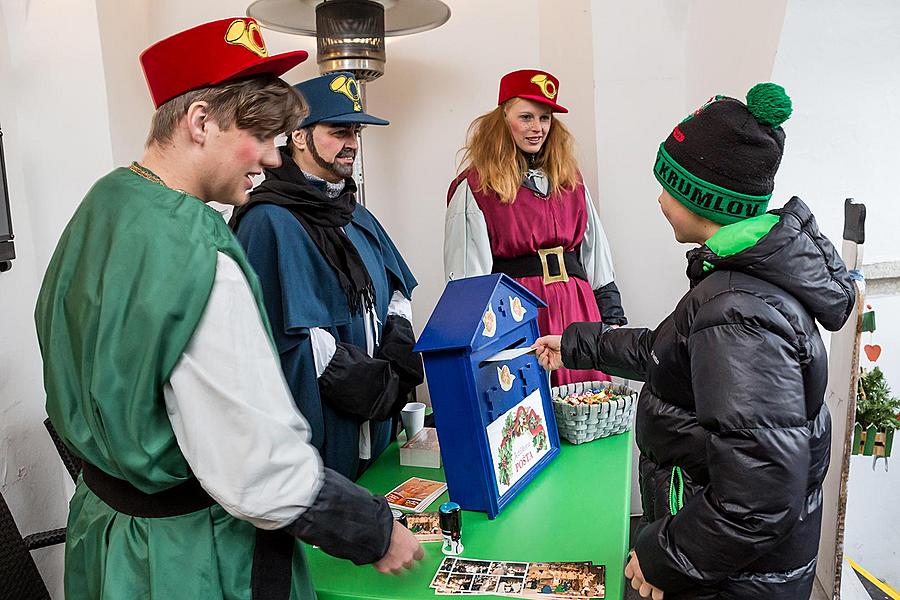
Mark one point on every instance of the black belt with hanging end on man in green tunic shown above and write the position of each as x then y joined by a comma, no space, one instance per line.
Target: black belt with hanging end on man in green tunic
270,577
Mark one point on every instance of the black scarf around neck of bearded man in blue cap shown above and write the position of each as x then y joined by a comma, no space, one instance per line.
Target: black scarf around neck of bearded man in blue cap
322,218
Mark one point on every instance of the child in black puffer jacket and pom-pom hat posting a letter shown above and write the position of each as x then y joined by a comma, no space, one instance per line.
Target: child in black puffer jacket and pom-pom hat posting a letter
732,425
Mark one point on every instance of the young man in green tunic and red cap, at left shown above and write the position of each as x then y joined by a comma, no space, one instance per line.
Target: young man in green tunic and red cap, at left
159,365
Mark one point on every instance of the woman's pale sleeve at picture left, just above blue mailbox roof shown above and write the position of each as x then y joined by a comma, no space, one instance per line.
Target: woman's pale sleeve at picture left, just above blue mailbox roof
467,247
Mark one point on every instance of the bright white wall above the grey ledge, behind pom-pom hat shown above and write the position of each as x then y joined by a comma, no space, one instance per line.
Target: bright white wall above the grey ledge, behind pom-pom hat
838,62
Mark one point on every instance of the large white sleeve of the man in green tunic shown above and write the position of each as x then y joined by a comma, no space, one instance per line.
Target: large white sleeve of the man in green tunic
233,415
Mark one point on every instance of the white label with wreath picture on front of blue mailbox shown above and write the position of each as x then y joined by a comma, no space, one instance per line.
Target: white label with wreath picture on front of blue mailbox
518,440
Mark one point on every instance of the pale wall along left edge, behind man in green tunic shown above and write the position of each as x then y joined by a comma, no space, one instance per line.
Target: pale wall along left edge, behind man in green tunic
53,112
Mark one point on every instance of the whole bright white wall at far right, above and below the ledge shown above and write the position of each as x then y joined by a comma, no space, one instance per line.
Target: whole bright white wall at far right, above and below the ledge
838,62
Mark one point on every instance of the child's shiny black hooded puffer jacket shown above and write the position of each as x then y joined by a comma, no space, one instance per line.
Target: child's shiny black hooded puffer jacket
731,422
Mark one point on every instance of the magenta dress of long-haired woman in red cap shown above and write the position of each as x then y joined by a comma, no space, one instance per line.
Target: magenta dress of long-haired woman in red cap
532,223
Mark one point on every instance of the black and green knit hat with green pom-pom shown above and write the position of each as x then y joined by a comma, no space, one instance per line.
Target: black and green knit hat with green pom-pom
720,161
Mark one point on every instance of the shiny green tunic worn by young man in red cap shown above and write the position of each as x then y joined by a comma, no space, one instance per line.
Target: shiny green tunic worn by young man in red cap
122,296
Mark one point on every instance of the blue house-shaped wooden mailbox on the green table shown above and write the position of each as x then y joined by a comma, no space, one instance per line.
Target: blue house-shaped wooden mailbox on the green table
491,398
